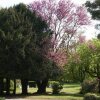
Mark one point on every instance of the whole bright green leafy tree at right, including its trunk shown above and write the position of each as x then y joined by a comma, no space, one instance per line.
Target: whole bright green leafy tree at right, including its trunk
87,61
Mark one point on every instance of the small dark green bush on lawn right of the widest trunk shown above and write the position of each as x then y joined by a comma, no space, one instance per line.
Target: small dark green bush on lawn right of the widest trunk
56,87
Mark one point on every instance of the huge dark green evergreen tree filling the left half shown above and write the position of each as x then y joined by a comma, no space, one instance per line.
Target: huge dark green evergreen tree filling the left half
22,38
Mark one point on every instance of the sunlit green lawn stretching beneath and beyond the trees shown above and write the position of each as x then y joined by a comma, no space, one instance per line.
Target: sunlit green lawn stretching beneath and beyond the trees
69,92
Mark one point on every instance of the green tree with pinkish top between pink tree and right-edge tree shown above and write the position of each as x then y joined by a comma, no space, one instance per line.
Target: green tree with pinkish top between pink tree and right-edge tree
74,70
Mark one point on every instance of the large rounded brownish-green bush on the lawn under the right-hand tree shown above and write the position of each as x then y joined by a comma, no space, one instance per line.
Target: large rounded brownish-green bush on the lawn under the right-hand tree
89,86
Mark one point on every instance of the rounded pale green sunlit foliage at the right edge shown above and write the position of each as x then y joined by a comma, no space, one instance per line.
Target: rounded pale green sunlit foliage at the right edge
89,55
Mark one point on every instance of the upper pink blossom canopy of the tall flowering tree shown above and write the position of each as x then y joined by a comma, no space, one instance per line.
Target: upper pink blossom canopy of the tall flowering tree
63,17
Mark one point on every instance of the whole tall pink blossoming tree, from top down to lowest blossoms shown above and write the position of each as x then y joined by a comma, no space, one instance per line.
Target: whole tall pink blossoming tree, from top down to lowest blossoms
63,18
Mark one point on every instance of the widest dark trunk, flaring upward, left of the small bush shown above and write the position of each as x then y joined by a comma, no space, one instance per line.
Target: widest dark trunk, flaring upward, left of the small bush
41,84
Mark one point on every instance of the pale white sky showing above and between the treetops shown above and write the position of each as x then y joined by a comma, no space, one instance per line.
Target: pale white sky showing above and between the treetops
90,31
